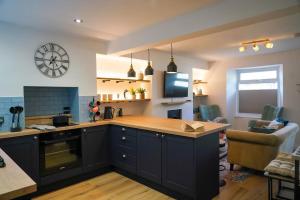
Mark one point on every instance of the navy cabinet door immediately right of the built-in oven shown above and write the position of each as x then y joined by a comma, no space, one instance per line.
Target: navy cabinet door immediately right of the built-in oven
95,151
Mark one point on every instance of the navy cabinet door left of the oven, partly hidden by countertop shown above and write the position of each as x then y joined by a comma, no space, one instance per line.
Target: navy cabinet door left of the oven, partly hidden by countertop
25,152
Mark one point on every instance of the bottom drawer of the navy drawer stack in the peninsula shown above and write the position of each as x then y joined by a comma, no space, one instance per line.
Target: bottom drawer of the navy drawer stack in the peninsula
124,160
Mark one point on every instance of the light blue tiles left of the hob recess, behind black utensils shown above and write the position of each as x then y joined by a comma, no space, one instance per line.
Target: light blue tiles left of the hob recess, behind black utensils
5,104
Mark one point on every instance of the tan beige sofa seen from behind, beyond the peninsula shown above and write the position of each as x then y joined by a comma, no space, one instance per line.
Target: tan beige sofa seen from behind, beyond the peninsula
256,150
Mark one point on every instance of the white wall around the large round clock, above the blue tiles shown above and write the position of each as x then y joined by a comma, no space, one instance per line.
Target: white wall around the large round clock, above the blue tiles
17,67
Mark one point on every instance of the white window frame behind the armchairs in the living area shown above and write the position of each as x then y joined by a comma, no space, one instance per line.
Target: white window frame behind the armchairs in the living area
277,67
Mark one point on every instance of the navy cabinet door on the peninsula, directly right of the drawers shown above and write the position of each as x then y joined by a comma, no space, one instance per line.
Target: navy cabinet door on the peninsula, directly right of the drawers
149,155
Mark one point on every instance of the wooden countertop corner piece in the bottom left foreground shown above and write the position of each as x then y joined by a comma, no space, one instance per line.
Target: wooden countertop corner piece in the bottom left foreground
14,182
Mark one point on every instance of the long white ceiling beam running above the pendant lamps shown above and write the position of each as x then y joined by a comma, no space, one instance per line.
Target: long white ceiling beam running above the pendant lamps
218,17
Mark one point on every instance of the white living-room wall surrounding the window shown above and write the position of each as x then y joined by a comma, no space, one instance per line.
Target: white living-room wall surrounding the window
221,79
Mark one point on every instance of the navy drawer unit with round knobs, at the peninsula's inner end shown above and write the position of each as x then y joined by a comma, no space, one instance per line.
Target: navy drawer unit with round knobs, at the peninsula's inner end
124,148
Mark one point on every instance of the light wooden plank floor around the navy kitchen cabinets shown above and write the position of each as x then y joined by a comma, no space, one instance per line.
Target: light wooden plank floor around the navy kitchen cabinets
113,186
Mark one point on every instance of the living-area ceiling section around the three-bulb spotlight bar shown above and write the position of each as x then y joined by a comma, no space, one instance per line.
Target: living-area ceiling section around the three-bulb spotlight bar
222,45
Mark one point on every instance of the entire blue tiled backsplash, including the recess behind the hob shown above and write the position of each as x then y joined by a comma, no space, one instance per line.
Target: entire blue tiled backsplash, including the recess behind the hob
45,101
